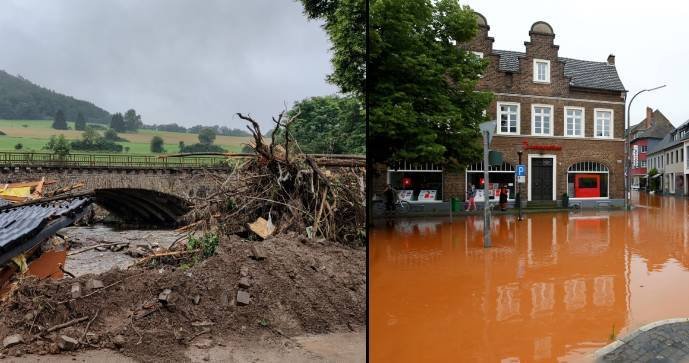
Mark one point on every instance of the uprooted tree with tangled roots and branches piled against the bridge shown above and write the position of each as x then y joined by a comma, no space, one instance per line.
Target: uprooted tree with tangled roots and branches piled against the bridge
288,189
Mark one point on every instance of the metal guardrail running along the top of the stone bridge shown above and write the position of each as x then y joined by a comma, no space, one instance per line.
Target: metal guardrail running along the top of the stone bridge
110,161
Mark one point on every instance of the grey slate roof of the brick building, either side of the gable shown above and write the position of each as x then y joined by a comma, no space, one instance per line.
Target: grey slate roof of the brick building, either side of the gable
584,74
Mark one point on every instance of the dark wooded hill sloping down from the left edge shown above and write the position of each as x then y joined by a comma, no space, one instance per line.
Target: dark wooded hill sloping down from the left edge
22,100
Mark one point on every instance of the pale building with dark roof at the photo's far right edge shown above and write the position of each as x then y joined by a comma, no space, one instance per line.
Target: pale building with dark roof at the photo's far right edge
668,158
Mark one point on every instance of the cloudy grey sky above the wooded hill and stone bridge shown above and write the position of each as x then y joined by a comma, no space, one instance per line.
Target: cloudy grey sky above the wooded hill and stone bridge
178,61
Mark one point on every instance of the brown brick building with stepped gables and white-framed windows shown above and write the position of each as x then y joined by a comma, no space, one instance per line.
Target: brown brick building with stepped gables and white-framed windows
565,115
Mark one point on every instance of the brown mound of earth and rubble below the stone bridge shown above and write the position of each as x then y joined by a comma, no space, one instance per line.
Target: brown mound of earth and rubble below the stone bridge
285,286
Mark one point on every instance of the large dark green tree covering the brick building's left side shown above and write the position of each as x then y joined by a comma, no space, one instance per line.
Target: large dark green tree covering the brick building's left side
422,100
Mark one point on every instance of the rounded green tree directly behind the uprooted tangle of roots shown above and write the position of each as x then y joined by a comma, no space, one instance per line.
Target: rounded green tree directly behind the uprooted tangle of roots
327,125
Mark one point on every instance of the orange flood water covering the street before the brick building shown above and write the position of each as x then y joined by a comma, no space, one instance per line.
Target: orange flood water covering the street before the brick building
553,288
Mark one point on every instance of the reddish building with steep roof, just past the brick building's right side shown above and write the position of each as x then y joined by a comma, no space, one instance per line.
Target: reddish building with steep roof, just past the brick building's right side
644,136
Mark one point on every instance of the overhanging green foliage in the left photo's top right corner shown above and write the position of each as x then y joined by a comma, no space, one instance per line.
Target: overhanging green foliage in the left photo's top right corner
345,24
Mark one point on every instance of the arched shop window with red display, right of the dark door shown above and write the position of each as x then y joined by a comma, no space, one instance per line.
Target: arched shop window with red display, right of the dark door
587,180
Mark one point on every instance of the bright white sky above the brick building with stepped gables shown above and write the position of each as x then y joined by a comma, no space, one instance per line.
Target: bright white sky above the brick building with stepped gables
649,40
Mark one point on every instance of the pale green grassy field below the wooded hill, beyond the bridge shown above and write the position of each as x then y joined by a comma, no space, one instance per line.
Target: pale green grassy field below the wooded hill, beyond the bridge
34,134
